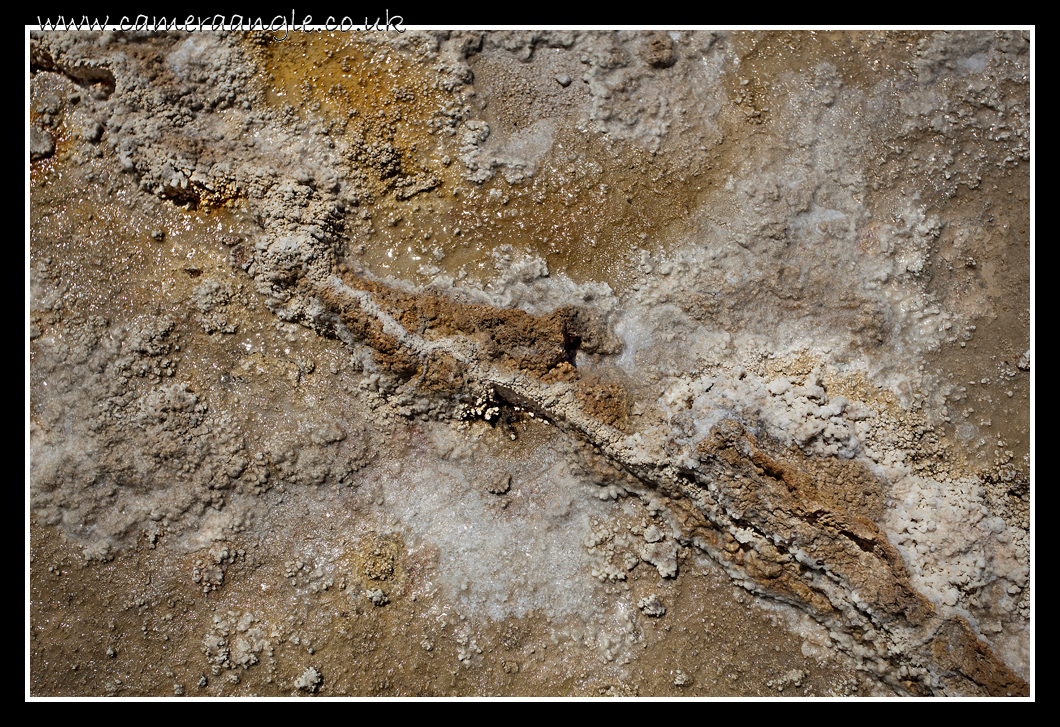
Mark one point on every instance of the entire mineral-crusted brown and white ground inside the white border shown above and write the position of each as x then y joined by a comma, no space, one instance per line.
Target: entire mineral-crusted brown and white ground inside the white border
567,363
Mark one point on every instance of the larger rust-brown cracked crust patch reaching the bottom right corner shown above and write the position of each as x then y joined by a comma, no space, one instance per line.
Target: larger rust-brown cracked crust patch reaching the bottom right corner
802,503
